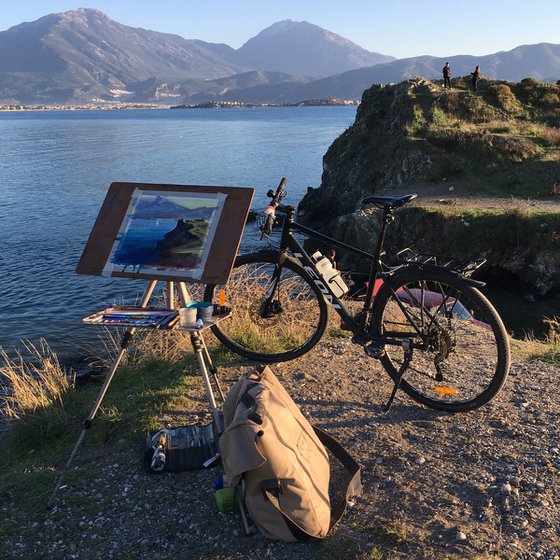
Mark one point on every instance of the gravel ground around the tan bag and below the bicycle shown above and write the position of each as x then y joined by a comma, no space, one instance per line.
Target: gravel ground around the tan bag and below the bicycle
478,485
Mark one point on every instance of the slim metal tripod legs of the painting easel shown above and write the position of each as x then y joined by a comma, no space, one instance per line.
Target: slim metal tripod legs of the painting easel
202,356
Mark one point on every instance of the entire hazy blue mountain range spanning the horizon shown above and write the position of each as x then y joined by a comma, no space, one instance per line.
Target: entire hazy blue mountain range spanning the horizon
84,57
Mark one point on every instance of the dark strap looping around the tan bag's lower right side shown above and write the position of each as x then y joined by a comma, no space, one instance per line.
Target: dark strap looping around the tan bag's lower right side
353,487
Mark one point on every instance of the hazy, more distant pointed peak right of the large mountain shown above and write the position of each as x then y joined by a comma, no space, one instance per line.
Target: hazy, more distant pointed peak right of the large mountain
303,48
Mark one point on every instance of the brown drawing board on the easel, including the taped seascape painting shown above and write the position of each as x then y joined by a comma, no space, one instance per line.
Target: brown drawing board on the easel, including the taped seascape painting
174,232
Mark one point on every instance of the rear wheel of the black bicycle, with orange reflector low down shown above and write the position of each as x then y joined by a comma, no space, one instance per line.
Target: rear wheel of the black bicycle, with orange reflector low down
466,358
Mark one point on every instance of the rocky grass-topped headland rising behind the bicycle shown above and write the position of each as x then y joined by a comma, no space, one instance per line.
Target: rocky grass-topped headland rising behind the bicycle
486,167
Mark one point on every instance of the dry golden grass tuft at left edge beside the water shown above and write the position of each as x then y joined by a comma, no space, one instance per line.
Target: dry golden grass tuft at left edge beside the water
32,383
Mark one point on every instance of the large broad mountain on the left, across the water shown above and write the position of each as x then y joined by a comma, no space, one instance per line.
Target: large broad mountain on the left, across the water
83,55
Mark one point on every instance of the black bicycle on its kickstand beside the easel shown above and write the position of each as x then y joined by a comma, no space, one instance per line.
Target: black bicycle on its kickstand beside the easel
425,319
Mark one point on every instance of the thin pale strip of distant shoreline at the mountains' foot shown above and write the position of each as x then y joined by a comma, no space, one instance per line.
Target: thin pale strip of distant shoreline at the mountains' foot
330,101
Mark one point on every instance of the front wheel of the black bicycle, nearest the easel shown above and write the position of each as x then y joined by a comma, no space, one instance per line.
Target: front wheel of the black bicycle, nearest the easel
285,334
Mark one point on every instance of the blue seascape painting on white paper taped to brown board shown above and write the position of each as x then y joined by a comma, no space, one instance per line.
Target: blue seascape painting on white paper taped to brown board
165,230
